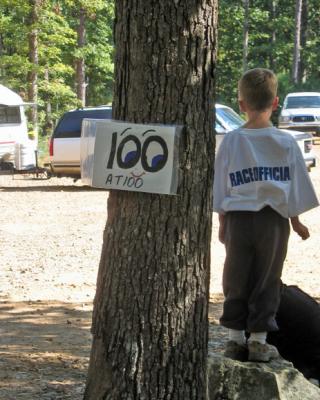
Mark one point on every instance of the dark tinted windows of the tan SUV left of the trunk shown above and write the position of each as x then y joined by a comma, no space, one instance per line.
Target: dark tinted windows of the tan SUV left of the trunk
70,123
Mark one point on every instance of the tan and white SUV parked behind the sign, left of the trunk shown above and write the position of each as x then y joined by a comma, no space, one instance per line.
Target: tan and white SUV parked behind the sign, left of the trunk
64,144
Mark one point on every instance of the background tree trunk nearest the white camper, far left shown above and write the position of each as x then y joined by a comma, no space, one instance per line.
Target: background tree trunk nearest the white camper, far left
34,60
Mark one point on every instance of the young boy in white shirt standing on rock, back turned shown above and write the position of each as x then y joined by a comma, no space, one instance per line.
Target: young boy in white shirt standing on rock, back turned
261,182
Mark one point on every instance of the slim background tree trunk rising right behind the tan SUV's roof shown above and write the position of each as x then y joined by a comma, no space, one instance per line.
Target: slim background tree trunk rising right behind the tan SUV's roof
80,64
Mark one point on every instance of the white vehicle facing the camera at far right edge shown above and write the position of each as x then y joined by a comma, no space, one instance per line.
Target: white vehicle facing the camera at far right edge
301,111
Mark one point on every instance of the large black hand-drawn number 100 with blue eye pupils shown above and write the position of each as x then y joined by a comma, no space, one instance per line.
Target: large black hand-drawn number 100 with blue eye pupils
131,158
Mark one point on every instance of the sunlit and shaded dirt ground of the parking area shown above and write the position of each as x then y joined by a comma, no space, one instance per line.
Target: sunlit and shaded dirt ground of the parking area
51,238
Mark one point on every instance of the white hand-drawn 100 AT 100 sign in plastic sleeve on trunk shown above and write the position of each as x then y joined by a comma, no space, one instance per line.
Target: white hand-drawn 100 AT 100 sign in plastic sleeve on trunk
128,156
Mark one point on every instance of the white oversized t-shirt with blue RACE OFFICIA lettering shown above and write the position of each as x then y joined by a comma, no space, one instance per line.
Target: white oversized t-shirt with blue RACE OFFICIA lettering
255,168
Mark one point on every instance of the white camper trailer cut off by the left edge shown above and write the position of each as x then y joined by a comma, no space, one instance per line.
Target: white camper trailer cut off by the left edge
17,150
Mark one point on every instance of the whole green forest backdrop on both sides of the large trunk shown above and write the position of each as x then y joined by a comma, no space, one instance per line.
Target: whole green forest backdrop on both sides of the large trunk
59,54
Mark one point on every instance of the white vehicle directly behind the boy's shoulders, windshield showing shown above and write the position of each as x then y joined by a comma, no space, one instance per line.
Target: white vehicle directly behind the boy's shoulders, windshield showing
227,119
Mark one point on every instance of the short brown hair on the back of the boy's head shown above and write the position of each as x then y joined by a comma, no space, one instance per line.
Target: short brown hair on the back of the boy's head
258,88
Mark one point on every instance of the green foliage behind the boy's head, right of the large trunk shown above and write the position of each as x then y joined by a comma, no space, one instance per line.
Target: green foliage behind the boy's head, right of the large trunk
276,54
